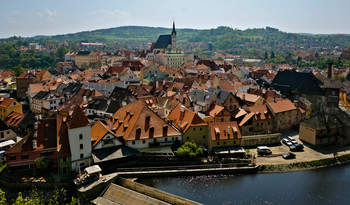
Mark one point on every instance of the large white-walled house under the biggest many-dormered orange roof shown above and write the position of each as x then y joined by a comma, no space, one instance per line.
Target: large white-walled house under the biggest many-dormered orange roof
141,127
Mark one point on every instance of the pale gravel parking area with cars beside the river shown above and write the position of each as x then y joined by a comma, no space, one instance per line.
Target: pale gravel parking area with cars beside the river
308,154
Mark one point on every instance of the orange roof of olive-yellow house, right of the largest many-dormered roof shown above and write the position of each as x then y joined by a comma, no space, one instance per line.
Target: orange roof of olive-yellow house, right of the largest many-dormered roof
186,119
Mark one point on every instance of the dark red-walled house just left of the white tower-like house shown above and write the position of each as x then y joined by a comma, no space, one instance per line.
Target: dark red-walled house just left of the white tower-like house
49,140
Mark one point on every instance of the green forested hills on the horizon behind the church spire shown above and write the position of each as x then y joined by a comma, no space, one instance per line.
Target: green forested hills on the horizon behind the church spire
241,42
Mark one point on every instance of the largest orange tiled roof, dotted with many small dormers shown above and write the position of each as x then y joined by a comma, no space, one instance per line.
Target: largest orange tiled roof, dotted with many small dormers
131,119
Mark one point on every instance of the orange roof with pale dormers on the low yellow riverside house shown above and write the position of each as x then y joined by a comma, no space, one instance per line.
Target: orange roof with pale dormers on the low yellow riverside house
224,130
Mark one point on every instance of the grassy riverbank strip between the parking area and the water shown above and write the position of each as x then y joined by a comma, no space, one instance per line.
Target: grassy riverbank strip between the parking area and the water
306,165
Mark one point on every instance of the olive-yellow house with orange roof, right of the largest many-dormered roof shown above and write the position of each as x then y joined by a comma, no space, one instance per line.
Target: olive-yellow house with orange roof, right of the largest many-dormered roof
190,124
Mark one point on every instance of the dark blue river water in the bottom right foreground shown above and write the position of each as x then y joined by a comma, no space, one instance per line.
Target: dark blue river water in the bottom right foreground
320,186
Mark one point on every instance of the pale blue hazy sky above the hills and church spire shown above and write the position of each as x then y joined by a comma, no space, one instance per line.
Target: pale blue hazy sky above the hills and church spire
50,17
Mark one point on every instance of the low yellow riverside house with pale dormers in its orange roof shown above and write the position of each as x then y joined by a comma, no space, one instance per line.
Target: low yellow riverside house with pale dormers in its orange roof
224,134
